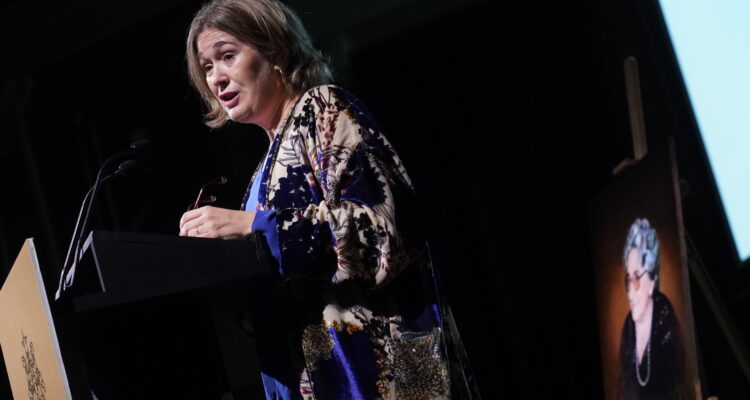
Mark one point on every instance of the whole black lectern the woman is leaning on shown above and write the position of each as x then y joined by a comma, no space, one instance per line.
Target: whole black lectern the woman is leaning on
157,316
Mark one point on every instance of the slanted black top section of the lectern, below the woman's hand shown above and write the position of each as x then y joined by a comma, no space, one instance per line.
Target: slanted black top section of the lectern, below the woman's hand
121,267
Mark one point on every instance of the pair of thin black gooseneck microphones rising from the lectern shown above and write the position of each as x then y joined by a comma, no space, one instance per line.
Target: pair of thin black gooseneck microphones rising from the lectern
74,248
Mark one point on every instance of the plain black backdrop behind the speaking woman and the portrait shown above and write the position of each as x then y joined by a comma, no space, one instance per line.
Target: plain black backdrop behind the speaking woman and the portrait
509,117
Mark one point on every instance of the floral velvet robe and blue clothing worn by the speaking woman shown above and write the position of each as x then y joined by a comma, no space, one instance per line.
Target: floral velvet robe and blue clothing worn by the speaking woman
338,211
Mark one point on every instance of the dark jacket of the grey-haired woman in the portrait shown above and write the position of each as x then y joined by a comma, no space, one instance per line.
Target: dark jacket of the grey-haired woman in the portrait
660,369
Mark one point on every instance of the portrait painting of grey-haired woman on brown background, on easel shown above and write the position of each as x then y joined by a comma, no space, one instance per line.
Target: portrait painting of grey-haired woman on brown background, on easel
643,292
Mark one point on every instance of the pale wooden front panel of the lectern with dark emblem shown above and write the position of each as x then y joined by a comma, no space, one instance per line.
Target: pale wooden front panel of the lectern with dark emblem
27,333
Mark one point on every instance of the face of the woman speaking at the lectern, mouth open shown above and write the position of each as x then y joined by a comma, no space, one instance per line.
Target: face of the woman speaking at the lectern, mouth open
241,78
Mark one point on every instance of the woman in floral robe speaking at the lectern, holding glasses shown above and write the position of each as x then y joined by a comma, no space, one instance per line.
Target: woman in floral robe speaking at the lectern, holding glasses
359,316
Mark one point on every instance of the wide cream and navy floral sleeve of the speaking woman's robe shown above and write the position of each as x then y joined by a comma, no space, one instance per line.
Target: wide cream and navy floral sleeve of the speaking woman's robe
348,229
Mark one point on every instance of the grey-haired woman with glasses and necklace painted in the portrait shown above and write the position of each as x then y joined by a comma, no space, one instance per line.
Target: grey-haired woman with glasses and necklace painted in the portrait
650,344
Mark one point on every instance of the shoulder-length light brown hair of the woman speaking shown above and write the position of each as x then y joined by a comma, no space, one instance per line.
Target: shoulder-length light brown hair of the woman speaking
274,30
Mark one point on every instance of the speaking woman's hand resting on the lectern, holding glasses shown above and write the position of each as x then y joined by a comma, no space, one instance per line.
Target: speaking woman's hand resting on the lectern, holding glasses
214,222
